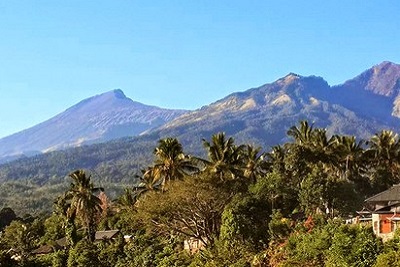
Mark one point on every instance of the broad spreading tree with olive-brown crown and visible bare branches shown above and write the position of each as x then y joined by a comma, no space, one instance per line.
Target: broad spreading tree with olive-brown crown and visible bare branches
190,208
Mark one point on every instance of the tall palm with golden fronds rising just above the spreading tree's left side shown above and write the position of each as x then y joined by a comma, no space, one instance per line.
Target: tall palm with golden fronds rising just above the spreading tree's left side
171,163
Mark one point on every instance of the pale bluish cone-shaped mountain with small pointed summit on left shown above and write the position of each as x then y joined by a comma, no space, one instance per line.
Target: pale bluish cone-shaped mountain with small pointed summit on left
97,119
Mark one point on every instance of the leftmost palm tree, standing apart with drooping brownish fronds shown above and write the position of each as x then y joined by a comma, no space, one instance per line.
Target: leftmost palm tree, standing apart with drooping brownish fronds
82,203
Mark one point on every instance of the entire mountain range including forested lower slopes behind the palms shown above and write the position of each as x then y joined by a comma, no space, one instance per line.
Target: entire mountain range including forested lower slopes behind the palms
361,106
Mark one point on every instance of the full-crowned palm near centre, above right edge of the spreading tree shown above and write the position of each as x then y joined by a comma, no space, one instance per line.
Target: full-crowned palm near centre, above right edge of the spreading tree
224,157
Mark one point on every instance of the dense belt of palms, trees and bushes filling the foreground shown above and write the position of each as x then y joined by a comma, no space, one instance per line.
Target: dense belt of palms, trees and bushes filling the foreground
246,207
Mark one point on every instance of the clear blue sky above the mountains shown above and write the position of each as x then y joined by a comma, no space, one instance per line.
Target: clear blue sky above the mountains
179,54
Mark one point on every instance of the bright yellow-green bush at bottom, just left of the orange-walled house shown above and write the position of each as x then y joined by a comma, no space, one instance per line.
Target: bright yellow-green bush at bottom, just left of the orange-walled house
333,244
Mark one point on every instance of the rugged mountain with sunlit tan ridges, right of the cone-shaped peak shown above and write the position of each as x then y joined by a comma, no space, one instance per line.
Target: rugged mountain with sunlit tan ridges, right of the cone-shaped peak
361,106
